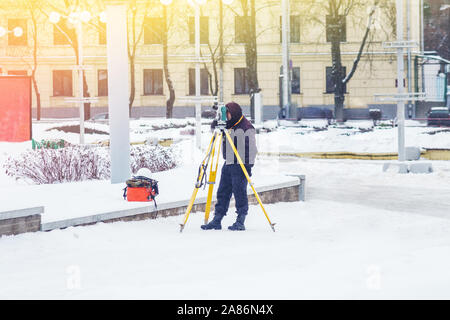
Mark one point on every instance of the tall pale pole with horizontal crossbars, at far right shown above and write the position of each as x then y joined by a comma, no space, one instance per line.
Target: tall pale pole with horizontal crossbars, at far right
400,77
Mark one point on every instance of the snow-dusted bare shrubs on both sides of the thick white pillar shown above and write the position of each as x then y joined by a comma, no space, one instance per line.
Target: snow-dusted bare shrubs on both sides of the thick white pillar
80,163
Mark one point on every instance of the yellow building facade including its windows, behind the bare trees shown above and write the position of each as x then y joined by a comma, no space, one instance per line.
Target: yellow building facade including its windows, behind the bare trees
310,54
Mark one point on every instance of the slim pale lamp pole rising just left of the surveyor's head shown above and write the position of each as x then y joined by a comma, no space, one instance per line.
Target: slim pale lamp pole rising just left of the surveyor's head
198,105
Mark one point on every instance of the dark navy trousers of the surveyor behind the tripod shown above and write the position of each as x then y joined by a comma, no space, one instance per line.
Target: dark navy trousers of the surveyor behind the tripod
232,182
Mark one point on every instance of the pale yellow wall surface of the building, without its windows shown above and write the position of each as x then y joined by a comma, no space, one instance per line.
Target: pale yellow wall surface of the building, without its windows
376,72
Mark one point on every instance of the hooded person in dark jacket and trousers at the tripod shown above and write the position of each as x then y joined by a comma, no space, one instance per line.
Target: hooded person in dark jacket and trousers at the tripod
232,179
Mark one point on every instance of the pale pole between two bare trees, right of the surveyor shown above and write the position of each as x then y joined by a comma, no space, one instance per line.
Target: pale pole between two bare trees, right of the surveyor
285,47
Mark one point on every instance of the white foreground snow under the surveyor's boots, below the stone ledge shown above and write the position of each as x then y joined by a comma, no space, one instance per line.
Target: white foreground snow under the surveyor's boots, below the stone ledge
321,249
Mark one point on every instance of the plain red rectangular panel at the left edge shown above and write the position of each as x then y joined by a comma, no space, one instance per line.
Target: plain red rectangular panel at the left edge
15,108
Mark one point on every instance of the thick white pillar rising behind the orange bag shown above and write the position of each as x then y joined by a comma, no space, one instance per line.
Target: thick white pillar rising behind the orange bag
118,90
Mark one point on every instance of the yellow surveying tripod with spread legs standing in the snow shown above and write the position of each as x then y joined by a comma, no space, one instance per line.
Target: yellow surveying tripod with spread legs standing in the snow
216,142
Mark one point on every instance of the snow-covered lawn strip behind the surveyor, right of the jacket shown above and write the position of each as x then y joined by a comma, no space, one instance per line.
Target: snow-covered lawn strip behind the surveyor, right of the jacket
382,139
